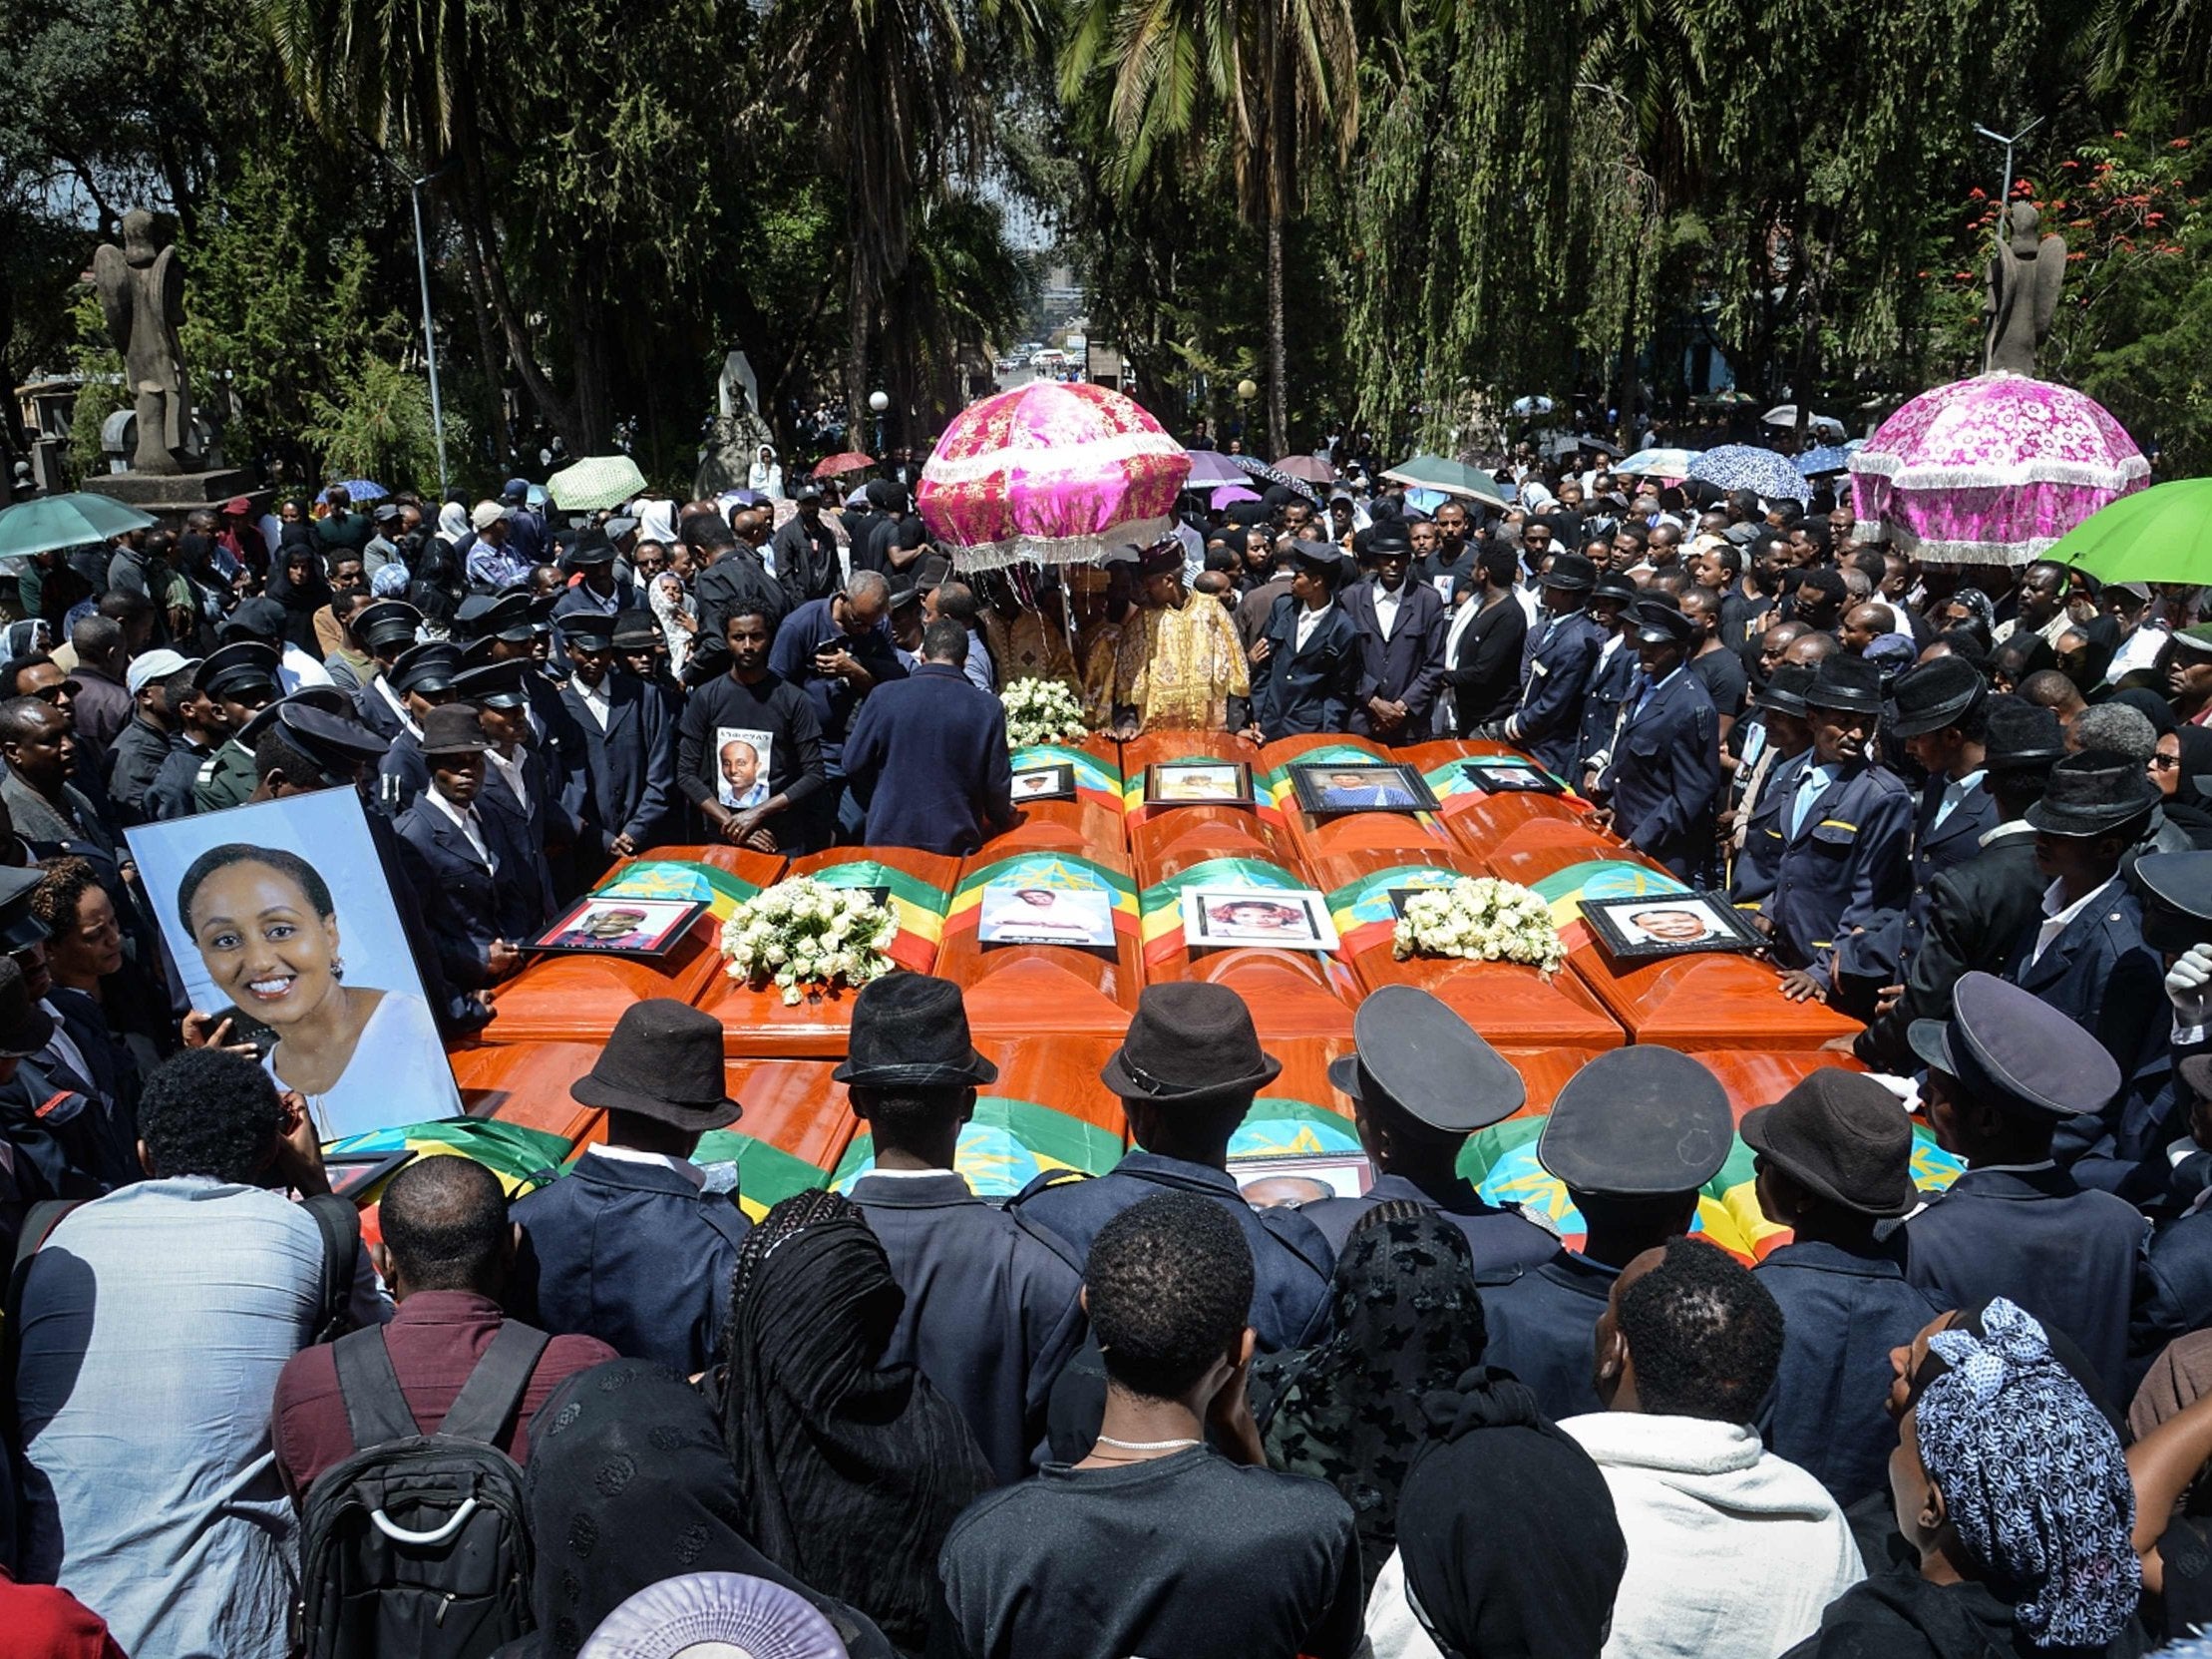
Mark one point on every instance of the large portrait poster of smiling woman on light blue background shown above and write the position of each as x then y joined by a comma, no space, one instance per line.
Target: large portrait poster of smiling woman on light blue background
282,926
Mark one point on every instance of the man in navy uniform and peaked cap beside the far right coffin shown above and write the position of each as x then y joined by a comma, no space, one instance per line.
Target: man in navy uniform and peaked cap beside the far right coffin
1667,753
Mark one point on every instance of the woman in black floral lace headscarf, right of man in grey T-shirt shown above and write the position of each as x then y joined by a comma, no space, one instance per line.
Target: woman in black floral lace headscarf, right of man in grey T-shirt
1408,1319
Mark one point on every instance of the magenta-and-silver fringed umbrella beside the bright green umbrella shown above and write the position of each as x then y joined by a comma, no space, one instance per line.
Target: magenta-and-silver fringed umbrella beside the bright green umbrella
1992,470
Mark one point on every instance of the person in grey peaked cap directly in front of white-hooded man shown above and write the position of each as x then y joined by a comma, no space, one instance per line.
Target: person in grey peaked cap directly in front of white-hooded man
1634,1136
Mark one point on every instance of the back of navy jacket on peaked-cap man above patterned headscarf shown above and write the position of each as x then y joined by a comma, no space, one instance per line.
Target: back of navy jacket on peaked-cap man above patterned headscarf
2065,1253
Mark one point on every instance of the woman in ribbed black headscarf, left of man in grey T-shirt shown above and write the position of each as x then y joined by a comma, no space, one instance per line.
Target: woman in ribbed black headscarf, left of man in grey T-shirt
851,1472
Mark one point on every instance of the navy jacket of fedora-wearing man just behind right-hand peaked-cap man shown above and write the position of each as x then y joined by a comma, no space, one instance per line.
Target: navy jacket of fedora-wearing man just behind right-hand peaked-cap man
2103,977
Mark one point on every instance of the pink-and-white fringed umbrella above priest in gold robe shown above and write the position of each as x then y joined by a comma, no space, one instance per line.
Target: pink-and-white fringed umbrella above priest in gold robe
1052,474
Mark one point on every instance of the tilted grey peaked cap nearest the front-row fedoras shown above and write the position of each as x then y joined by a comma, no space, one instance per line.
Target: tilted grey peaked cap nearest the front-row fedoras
1428,1063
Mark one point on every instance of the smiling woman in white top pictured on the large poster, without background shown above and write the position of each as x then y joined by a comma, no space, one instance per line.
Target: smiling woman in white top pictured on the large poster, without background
267,930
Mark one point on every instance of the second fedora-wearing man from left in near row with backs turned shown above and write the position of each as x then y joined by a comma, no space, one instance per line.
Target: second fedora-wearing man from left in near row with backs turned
994,1302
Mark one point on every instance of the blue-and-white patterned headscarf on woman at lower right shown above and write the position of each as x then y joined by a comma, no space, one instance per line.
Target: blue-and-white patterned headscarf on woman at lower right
2034,1481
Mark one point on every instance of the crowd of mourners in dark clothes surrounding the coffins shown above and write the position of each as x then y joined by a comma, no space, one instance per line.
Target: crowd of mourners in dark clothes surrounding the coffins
1123,1415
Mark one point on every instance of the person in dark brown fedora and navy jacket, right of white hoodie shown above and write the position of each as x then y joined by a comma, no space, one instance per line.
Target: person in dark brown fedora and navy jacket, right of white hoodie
1835,1158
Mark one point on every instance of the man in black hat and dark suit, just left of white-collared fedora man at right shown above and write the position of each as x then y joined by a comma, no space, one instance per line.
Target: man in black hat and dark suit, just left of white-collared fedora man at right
1983,908
